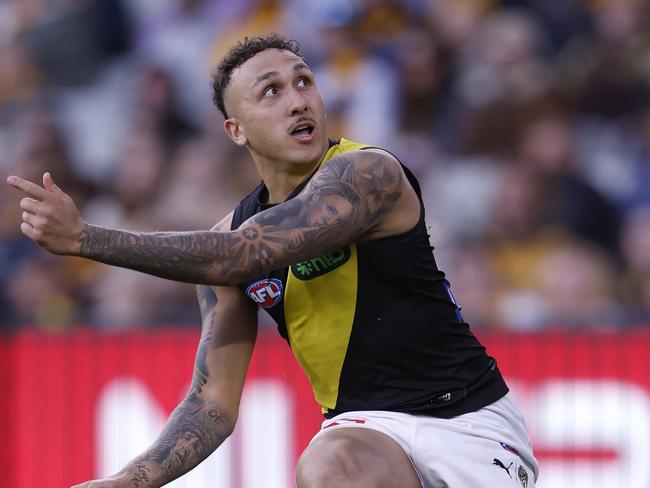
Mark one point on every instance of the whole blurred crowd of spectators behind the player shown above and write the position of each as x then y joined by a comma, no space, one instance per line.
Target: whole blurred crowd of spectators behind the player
528,124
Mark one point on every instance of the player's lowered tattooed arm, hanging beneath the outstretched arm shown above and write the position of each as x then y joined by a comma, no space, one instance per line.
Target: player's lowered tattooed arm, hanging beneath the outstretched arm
207,415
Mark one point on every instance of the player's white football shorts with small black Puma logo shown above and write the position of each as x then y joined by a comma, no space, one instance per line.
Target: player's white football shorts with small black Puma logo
489,448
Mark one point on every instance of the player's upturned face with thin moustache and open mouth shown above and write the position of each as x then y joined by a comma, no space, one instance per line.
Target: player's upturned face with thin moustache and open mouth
274,101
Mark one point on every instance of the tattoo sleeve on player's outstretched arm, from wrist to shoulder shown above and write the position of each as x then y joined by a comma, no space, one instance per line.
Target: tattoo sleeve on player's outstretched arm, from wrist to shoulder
345,199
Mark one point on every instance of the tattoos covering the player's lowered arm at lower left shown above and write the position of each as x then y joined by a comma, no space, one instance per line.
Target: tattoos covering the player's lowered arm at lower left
195,428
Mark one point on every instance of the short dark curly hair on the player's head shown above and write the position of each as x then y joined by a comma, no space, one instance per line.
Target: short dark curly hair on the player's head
239,54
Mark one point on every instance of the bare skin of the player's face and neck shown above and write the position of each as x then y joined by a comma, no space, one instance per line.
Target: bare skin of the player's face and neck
267,96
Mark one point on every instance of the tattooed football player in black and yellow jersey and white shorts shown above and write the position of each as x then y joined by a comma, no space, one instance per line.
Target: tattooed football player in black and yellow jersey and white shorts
333,245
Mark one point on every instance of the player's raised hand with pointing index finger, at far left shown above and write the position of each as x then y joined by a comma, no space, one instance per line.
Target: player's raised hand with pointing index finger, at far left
50,217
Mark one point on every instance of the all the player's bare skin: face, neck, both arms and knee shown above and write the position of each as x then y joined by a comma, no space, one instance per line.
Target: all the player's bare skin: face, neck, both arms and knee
355,197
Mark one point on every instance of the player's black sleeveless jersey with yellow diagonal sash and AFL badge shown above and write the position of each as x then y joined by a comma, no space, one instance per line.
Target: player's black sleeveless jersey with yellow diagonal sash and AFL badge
374,325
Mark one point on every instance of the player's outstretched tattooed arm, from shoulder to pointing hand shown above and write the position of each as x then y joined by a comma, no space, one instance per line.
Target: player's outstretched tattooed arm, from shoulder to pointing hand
356,195
